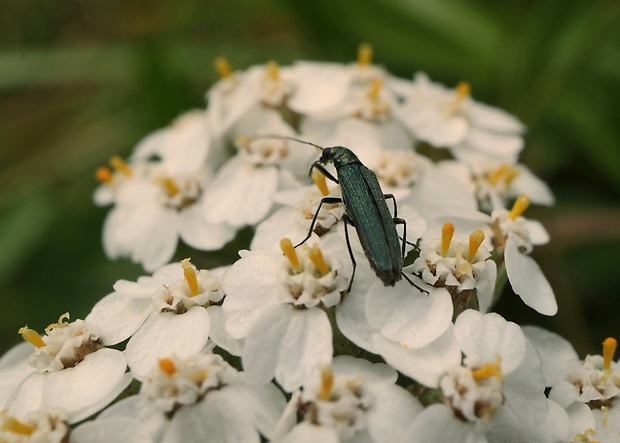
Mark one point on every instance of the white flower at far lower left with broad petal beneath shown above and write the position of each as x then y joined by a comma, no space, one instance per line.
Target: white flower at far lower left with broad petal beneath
68,359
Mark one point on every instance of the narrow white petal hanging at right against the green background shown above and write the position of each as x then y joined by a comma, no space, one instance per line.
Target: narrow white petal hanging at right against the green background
528,281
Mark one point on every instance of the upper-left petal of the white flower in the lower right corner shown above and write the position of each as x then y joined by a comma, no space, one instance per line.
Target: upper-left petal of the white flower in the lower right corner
557,354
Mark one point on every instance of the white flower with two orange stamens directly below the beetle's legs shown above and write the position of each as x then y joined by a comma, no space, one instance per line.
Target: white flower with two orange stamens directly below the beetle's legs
278,305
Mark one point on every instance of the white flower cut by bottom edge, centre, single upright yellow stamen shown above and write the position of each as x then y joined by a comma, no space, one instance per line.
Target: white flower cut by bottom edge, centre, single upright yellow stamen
353,400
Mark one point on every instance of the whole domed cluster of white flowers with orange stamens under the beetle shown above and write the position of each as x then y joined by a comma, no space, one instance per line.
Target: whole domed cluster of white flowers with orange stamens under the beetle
270,347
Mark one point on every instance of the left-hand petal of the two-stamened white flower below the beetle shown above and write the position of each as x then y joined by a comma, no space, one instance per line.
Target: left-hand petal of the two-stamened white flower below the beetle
249,286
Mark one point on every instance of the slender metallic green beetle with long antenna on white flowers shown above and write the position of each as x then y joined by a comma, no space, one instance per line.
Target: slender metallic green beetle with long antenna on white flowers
366,210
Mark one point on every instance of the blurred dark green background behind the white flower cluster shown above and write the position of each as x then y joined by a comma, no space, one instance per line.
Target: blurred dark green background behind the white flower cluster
81,80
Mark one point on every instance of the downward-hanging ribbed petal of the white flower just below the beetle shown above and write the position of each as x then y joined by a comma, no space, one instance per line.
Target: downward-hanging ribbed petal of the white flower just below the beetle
288,343
